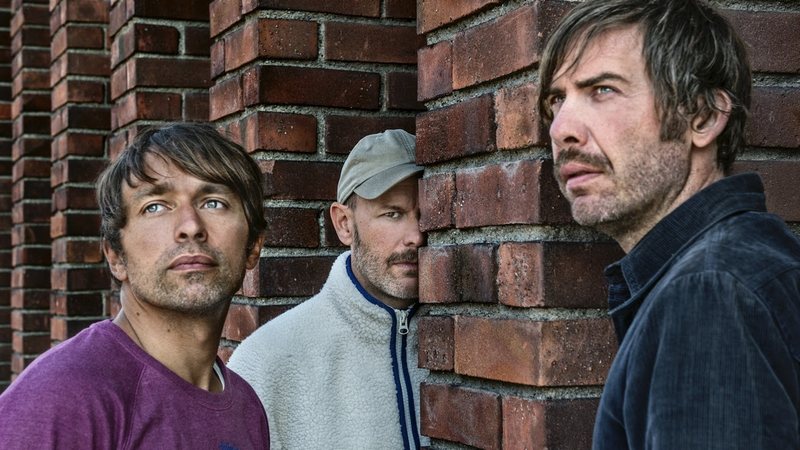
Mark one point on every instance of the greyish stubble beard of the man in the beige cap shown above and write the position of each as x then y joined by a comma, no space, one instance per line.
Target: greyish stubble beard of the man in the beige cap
378,272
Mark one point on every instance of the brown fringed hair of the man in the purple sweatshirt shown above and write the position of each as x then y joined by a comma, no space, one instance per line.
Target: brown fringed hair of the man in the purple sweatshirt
195,148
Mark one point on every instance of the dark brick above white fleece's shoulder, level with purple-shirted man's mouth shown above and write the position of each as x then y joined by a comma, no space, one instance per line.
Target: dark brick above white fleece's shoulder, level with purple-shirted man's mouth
290,276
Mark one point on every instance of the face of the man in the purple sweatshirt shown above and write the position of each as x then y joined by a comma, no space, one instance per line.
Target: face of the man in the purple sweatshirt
184,243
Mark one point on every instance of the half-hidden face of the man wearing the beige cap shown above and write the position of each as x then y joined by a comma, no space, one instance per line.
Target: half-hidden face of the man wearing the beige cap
386,237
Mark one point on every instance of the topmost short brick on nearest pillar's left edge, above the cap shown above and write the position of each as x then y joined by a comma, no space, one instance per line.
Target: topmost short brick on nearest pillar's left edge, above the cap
435,71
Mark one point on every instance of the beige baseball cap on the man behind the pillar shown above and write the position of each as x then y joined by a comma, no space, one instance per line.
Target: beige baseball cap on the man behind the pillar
376,163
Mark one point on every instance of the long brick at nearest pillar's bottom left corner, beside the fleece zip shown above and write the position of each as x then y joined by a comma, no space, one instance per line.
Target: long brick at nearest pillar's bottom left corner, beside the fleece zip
460,414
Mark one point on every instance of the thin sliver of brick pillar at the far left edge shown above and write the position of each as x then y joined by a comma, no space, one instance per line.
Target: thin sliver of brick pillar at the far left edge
5,195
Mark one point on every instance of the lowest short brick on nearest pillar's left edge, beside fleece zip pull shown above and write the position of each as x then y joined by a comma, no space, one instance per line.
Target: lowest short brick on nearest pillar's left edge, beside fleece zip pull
436,344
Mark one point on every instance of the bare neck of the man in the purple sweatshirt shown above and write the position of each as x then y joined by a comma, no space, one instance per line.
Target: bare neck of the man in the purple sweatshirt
186,346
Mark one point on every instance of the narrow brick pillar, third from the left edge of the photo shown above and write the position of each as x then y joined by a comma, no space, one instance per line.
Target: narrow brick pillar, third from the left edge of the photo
80,120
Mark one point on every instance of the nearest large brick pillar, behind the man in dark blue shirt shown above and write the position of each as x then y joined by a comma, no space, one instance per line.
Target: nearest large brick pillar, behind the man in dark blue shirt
516,333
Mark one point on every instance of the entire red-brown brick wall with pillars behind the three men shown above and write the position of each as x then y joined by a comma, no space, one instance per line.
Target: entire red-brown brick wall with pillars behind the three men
513,328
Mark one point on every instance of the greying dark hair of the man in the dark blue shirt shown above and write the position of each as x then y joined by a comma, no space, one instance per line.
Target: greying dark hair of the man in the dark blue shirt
691,54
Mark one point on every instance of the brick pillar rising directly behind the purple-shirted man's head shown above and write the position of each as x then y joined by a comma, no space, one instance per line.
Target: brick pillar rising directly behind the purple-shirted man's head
159,68
